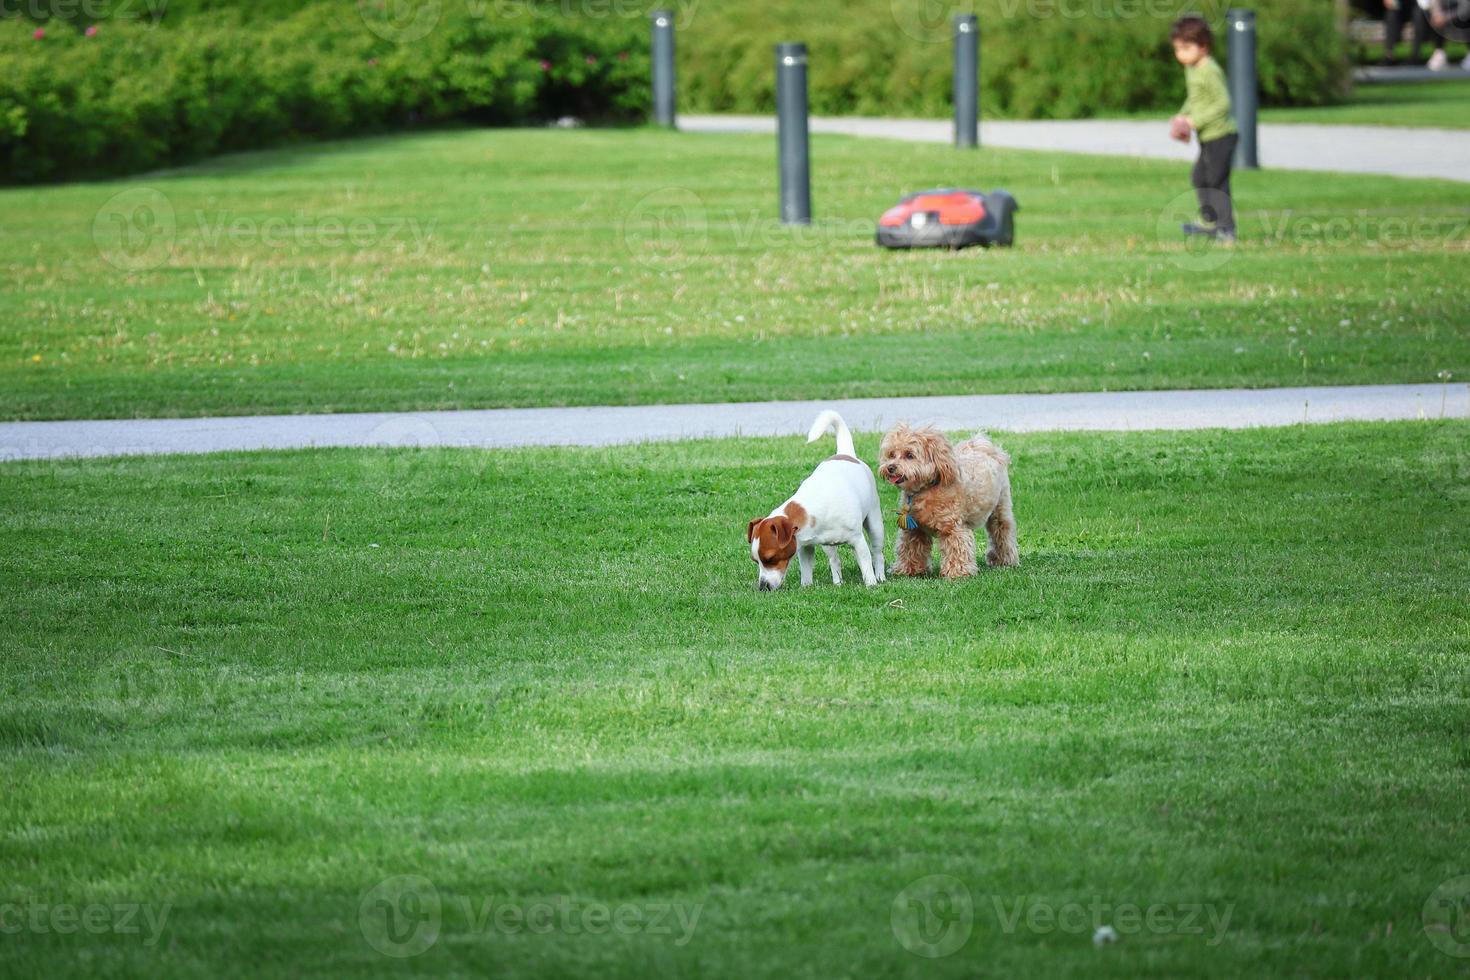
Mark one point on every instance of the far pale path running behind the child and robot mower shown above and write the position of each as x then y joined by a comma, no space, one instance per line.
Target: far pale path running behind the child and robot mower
1393,151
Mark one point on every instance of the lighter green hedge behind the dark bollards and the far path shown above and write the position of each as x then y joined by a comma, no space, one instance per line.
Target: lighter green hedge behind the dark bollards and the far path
1040,60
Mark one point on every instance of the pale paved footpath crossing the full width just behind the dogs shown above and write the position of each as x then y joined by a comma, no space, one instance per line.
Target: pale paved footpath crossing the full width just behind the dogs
498,428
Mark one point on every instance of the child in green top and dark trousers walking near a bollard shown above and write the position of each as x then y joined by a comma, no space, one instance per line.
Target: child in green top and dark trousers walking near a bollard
1208,114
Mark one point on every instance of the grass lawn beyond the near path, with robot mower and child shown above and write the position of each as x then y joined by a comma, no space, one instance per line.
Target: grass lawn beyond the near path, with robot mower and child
528,268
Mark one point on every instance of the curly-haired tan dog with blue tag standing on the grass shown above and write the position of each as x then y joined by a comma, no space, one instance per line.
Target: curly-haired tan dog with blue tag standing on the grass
949,491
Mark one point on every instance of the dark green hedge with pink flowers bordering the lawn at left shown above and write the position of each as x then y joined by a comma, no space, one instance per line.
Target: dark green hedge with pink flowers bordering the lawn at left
132,96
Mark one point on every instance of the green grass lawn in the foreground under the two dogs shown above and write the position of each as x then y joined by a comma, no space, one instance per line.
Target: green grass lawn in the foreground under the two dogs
1233,674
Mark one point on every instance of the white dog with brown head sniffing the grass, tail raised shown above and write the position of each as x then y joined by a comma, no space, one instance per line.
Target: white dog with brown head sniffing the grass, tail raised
833,508
